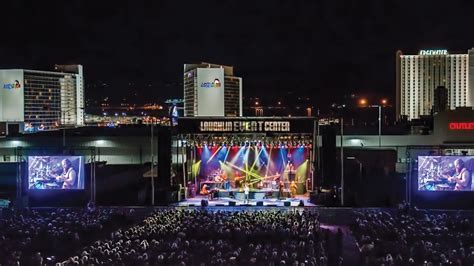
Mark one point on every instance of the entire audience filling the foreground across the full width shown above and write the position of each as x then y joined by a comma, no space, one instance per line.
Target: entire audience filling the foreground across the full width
201,236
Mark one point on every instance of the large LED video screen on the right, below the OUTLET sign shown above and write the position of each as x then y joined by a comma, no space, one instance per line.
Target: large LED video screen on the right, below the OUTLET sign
445,173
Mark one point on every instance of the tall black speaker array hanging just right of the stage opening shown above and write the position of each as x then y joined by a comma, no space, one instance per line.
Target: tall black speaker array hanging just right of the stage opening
328,156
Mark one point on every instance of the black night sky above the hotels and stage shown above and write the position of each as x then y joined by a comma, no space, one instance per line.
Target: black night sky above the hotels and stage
311,47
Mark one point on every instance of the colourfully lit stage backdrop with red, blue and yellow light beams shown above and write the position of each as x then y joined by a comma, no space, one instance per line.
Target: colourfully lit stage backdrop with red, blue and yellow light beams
260,166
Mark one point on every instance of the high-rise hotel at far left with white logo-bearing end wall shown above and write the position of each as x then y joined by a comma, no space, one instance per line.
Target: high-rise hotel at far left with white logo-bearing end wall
42,100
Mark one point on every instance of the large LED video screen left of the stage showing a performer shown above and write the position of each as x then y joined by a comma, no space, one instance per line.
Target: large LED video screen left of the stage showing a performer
56,172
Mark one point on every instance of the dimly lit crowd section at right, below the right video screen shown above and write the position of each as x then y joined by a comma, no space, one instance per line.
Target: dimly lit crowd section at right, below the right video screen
414,237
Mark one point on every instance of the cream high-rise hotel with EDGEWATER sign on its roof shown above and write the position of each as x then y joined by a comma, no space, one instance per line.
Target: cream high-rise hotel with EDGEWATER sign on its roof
419,75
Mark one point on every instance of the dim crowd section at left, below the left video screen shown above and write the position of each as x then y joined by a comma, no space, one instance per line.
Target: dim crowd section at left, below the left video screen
38,237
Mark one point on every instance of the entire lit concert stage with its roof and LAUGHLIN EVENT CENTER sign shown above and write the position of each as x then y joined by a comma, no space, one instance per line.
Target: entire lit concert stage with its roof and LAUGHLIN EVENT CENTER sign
219,158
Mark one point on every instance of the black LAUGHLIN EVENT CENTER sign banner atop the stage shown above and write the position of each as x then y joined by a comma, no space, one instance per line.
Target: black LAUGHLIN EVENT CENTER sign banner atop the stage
244,125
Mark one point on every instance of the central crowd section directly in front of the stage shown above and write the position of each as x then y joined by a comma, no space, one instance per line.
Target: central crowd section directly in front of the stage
200,237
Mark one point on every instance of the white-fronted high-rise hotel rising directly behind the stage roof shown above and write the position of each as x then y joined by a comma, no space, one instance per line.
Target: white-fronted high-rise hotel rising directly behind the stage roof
211,90
